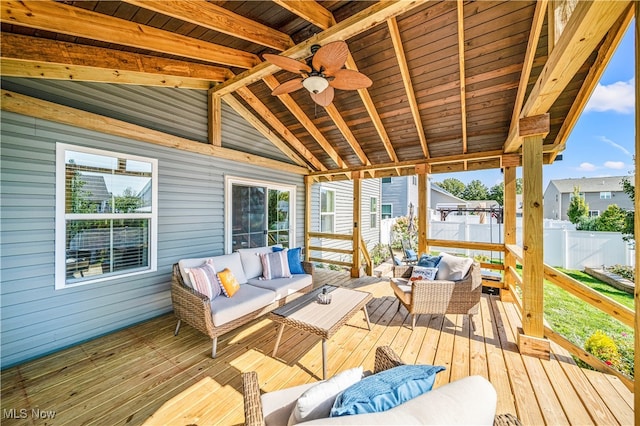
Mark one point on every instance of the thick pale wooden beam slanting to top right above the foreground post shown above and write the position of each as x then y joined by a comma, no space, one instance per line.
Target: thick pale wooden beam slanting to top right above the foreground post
588,25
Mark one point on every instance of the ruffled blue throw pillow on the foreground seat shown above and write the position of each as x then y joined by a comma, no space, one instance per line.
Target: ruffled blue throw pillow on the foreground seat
385,390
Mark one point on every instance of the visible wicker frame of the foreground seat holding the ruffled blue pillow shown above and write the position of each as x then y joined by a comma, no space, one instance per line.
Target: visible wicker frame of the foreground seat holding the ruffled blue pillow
385,359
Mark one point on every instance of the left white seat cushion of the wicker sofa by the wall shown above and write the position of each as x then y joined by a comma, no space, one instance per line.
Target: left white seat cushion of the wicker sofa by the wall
247,299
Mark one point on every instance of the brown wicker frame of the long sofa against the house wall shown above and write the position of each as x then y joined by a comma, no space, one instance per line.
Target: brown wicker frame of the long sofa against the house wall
195,309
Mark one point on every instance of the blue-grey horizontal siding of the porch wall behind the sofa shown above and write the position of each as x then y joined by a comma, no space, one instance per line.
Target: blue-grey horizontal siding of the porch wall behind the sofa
35,318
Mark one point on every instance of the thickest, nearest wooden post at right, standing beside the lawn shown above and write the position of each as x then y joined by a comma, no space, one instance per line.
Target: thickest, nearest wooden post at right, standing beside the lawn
531,341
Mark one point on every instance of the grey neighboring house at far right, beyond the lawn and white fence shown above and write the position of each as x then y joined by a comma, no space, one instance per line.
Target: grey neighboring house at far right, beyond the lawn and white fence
598,193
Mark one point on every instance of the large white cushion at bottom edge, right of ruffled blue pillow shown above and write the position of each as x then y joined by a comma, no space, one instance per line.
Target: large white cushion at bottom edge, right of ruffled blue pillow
468,401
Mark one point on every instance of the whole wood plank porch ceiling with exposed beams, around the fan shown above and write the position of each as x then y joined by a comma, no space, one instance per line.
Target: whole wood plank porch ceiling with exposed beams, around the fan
450,79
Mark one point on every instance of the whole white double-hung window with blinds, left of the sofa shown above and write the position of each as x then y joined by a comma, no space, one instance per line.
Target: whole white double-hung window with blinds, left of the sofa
106,215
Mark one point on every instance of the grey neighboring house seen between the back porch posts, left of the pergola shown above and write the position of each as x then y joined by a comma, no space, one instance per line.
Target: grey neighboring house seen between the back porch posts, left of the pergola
399,192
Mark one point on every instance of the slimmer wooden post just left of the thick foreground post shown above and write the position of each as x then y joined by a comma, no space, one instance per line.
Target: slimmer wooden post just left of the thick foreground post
509,222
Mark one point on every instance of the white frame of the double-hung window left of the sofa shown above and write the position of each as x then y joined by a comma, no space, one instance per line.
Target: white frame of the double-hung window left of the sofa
62,216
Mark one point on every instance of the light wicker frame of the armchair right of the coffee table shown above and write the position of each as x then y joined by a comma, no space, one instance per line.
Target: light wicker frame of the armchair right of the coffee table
437,296
